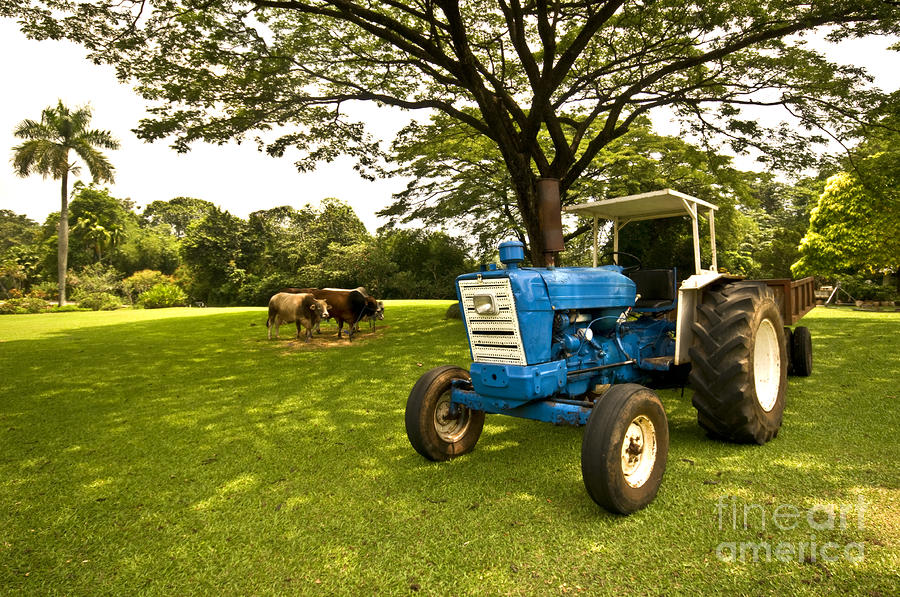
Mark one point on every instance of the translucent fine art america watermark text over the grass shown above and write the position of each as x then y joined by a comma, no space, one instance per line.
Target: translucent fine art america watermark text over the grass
732,514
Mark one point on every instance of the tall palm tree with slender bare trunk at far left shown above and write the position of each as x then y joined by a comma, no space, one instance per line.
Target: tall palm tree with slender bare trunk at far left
46,152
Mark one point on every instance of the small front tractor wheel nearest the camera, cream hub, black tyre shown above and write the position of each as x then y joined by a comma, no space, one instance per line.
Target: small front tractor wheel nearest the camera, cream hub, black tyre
624,450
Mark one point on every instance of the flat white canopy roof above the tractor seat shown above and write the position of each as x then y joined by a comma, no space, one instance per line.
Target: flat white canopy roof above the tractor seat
666,203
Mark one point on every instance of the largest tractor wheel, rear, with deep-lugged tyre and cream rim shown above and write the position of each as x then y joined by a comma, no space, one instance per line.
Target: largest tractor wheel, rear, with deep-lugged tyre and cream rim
739,363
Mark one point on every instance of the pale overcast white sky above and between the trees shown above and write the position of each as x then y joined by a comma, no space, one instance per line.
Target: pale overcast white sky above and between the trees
237,178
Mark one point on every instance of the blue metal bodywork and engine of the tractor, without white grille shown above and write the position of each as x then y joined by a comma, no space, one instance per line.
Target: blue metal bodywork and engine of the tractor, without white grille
555,308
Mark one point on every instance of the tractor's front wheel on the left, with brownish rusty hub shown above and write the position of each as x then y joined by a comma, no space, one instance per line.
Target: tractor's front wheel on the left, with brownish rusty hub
437,429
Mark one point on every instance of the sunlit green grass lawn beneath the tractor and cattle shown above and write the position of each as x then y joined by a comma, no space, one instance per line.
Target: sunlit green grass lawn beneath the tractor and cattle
178,452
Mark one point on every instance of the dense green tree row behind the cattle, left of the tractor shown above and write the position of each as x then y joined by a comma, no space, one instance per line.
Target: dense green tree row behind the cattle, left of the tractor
217,258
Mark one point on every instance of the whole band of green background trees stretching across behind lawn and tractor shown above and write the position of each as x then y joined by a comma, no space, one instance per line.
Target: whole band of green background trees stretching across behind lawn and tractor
840,222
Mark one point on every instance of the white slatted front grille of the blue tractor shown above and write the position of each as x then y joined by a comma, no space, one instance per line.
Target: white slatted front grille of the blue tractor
493,338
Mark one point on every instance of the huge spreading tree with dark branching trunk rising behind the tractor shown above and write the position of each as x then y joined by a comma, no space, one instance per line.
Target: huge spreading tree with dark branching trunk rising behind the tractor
575,74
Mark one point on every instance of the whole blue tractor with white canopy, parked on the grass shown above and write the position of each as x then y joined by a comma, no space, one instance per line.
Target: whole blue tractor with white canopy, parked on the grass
580,346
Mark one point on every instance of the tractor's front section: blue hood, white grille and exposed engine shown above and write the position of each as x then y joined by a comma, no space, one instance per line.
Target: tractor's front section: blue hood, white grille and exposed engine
541,333
